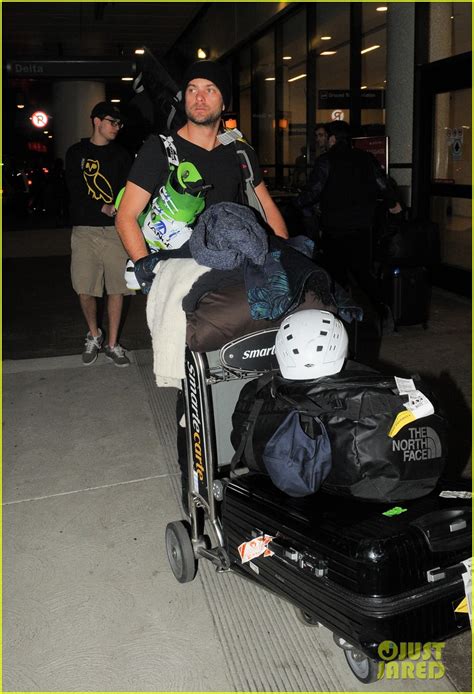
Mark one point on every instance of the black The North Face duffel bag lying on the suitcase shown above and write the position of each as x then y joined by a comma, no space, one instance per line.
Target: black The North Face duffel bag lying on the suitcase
357,410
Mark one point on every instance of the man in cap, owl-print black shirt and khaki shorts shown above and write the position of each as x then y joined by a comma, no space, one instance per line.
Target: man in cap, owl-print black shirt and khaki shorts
96,169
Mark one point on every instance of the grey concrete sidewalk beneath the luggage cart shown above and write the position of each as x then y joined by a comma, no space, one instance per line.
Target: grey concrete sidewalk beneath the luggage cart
90,603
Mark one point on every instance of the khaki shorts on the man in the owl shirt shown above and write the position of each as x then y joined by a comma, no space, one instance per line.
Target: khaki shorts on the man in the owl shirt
98,259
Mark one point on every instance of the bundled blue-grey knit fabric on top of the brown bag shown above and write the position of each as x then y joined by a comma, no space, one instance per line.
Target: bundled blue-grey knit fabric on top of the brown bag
226,235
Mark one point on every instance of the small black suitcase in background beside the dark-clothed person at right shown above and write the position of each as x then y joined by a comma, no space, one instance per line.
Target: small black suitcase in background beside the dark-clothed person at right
407,292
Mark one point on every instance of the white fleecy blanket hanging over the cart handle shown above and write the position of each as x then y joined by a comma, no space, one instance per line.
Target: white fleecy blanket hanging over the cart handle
166,318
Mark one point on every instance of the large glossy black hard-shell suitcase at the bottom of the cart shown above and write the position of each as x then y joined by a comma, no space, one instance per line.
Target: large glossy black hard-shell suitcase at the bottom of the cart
369,572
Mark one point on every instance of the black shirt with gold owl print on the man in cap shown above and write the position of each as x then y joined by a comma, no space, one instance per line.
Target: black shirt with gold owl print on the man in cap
94,176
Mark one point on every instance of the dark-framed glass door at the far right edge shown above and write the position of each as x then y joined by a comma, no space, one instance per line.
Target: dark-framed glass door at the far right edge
442,163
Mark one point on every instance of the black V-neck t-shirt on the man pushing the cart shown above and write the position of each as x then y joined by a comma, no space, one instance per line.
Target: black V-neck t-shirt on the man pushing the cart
218,167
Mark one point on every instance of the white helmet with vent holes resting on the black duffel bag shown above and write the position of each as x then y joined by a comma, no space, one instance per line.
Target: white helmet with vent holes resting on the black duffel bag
310,344
